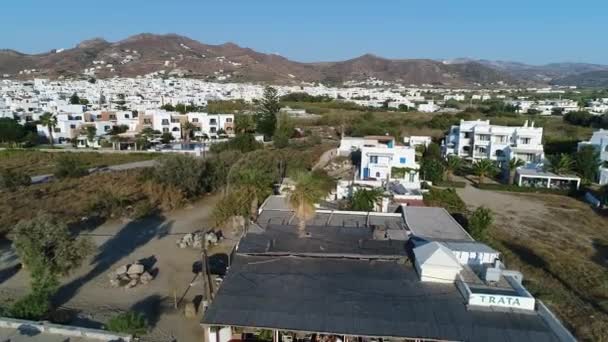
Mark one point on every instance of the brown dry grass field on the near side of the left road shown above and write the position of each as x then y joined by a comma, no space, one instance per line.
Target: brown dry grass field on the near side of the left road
104,195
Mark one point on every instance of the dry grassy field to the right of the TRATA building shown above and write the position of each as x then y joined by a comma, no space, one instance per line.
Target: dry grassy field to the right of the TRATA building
563,254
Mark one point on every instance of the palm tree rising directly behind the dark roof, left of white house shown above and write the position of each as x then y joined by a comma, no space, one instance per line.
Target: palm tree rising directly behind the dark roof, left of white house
302,199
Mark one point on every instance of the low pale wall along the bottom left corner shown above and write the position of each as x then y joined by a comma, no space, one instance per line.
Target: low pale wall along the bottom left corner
64,330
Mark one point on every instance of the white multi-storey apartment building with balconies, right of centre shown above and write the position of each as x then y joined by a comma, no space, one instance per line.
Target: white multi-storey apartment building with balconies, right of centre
479,139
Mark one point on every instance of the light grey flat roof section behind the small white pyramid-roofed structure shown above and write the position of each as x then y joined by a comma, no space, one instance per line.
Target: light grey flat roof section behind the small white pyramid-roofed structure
434,223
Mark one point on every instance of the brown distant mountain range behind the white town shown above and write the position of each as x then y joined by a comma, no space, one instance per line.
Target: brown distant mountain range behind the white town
173,54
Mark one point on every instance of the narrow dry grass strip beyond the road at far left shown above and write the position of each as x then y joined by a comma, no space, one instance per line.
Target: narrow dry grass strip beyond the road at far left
33,162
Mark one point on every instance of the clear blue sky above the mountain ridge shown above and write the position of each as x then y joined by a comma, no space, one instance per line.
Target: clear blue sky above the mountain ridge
530,31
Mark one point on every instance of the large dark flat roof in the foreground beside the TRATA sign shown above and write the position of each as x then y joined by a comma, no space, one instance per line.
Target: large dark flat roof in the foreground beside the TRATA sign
361,298
